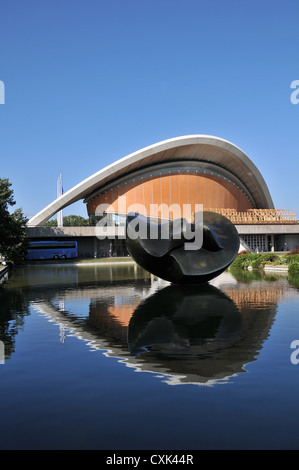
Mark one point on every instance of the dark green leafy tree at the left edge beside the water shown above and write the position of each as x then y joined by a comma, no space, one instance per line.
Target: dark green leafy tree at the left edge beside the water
13,237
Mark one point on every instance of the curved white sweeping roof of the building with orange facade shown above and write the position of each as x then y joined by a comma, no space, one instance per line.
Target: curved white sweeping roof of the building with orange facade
204,148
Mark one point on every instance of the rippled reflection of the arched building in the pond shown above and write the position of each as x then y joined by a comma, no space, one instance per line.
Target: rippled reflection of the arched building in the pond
185,334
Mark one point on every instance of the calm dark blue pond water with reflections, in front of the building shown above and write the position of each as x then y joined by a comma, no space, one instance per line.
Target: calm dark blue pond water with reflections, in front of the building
109,357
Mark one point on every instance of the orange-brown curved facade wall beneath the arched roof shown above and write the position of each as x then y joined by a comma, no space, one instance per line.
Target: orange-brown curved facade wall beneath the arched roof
172,190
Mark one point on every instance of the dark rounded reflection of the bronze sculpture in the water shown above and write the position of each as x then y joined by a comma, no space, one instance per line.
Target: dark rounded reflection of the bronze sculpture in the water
184,321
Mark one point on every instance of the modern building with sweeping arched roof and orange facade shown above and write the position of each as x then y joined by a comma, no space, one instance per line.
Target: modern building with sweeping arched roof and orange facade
162,180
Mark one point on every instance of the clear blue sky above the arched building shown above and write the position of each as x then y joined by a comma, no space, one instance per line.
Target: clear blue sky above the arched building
89,81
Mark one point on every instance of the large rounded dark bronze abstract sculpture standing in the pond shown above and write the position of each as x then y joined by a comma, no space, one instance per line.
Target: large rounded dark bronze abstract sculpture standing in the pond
172,256
